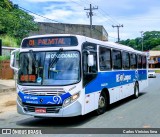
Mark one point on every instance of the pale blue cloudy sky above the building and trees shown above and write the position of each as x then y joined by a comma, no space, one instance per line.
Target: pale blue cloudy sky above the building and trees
135,15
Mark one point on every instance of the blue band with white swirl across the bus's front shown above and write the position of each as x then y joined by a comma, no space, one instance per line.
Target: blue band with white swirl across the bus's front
35,99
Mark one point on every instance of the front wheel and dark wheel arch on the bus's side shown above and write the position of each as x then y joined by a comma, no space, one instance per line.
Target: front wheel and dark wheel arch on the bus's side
103,102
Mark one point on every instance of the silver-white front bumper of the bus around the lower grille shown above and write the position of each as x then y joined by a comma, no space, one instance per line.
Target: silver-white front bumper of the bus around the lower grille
74,109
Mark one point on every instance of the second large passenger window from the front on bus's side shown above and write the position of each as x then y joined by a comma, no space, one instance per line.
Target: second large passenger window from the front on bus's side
116,59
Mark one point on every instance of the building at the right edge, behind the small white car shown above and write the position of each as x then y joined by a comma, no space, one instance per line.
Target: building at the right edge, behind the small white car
154,59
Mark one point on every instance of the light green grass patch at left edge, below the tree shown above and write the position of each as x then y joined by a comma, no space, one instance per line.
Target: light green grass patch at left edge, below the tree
8,41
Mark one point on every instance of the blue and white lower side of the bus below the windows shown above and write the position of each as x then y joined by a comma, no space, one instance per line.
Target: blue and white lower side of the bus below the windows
120,85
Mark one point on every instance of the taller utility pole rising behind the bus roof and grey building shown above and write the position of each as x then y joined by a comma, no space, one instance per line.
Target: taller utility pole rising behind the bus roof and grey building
90,14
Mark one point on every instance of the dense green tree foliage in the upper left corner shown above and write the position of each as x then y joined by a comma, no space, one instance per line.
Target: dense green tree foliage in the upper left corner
14,21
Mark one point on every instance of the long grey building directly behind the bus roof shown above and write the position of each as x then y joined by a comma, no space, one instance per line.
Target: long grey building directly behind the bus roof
98,31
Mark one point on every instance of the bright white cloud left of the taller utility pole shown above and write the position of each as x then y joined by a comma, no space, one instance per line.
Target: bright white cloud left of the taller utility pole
65,13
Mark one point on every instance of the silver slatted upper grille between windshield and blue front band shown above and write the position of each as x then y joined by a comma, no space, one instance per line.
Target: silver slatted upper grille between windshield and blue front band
45,92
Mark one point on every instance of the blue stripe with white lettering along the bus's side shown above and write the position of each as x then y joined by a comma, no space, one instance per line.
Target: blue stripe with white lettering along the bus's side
114,78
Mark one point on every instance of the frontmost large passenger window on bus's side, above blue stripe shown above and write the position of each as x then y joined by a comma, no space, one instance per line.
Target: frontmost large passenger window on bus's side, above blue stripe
104,59
